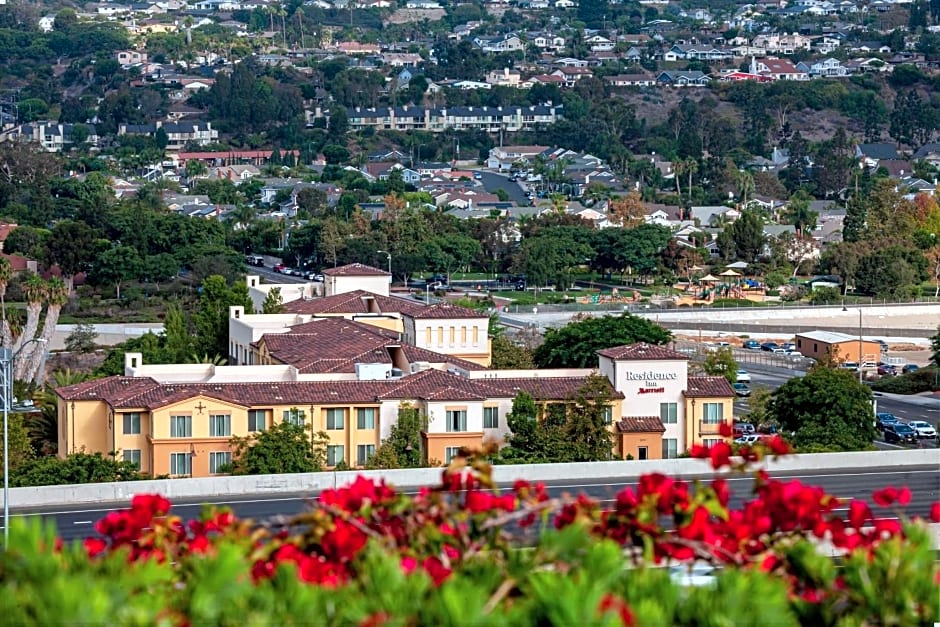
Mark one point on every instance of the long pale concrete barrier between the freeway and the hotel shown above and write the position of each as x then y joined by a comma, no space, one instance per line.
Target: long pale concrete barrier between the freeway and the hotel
99,493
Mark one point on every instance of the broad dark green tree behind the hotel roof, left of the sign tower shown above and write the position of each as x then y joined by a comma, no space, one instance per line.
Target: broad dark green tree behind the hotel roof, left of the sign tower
575,345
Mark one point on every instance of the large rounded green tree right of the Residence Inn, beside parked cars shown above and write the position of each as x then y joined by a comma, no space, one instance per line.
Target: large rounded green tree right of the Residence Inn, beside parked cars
825,410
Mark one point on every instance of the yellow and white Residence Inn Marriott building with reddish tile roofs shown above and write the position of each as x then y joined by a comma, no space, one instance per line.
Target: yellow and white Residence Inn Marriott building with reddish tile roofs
178,419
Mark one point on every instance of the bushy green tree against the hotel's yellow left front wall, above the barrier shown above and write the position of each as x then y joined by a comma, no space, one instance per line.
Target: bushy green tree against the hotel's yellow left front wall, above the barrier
283,448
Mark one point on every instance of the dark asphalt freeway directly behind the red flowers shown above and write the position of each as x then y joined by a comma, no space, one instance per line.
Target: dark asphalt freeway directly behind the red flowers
78,521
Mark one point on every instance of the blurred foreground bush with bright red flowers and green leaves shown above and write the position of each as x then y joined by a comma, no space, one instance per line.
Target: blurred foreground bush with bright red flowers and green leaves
461,554
